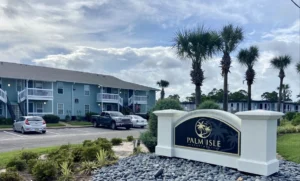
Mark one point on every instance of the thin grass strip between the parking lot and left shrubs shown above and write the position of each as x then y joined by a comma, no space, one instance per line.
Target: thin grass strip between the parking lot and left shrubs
5,157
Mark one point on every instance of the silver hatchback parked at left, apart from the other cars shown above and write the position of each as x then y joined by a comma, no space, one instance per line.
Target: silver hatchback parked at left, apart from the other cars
30,124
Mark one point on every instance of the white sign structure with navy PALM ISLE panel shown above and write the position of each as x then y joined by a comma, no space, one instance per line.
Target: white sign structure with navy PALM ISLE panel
245,141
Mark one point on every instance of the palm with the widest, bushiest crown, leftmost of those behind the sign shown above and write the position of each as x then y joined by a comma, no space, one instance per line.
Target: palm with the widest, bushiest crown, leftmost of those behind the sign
197,45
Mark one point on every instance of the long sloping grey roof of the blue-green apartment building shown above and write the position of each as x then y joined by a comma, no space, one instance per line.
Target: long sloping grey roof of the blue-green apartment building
32,72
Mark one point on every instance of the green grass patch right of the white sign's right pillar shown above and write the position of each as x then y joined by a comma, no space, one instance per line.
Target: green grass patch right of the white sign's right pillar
288,146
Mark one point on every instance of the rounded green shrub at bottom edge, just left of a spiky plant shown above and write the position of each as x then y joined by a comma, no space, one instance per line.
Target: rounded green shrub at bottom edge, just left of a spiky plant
45,170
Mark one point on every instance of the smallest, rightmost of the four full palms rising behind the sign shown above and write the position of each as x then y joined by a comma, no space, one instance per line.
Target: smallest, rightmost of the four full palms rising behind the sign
280,63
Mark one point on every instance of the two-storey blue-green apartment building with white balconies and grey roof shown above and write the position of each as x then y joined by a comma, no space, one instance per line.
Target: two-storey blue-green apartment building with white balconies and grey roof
36,90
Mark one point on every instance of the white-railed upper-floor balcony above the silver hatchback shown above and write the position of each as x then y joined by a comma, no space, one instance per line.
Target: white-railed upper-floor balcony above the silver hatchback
35,94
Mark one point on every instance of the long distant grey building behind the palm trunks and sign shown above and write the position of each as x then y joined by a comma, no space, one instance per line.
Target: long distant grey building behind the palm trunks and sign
243,106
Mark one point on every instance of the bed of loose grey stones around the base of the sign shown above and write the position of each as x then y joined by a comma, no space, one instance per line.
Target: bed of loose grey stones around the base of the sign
145,166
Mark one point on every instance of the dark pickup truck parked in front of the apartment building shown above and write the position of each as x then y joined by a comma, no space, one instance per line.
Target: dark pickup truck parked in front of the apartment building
112,119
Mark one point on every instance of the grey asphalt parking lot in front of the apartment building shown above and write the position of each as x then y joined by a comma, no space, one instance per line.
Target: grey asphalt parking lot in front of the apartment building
10,140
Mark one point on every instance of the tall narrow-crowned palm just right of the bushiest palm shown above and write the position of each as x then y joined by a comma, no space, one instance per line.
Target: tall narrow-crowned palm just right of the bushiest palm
231,37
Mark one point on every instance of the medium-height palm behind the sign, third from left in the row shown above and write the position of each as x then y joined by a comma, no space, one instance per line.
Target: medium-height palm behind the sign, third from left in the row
248,57
